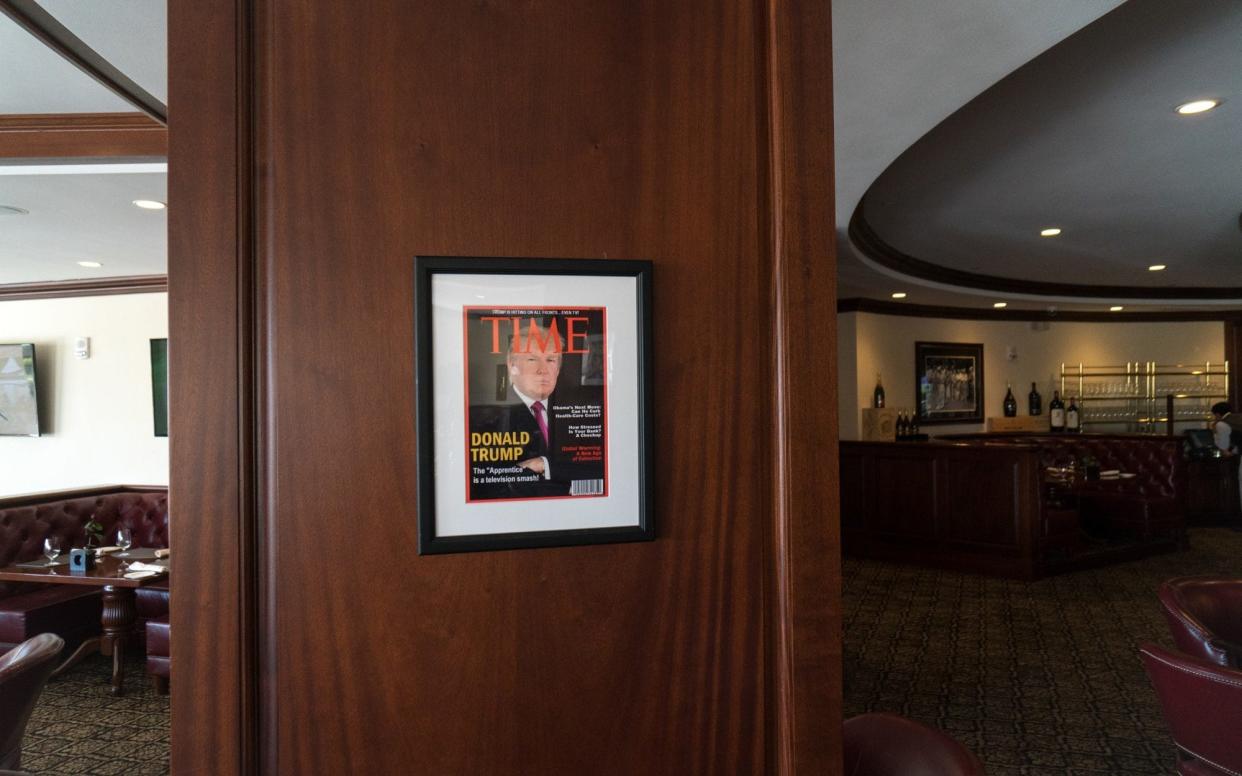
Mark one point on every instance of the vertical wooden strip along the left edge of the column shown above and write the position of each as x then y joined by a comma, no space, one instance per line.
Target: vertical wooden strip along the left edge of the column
211,394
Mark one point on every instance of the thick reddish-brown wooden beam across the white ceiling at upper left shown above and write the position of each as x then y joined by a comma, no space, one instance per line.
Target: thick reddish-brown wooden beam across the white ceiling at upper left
42,136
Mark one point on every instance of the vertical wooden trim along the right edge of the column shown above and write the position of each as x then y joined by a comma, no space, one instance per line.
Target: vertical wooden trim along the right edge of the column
804,566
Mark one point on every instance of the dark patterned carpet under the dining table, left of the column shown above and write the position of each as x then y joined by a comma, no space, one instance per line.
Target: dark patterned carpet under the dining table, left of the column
79,729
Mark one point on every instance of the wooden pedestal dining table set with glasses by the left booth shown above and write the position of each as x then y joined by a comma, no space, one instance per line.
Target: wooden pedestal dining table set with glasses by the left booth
119,584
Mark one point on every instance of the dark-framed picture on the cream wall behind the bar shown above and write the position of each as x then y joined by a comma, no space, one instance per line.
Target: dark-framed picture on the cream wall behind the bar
950,383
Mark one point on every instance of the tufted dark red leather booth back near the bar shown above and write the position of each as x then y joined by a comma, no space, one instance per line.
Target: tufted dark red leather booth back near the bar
1157,461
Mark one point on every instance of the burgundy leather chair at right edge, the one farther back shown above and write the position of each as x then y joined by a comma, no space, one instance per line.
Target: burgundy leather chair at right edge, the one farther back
1205,616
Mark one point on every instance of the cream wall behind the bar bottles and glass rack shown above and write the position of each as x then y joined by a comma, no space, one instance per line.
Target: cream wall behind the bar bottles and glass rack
885,345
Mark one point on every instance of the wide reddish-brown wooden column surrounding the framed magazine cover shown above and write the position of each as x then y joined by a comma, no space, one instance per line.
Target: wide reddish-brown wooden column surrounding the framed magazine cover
692,135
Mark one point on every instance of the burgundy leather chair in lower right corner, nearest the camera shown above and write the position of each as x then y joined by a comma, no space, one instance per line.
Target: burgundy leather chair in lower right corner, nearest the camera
1203,705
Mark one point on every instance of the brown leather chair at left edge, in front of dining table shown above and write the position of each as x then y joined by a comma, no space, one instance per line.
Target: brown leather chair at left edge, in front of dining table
24,672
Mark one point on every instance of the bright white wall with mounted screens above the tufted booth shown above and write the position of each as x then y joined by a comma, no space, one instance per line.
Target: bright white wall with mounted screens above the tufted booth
96,415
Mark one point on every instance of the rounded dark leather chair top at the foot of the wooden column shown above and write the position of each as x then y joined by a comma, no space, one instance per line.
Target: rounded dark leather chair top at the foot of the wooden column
891,746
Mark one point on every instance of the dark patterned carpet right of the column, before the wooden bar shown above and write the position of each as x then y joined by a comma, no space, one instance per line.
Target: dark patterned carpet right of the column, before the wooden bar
1036,679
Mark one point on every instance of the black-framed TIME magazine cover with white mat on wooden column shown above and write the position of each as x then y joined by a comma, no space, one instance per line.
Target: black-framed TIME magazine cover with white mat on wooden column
533,403
